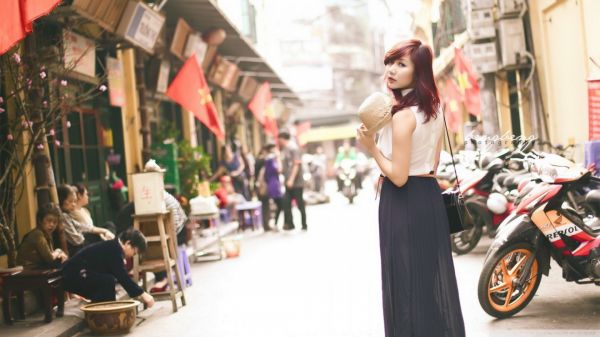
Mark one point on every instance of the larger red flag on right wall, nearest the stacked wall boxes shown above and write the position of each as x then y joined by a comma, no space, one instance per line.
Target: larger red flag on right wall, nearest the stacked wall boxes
467,82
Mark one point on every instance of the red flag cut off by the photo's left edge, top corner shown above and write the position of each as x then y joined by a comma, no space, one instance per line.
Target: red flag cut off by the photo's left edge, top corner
12,27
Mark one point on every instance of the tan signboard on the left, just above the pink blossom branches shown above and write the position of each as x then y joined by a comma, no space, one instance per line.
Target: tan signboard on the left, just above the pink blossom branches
80,53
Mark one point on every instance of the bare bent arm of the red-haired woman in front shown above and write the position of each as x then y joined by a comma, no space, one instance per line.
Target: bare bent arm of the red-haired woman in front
396,169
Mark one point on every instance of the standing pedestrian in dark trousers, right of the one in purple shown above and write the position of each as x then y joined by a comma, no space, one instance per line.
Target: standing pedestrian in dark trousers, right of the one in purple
291,167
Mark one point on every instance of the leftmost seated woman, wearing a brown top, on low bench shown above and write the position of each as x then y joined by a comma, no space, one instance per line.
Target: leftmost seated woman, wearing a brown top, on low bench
36,251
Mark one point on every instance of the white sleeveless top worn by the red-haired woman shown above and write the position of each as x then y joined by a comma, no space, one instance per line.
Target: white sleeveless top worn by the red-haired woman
424,142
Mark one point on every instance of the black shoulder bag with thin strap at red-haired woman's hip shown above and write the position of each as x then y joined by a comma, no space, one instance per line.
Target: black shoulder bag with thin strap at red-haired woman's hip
453,199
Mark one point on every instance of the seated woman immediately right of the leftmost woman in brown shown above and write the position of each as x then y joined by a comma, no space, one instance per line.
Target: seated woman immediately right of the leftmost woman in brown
73,229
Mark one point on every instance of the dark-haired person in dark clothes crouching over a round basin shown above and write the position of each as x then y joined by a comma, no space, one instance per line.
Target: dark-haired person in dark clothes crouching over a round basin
92,272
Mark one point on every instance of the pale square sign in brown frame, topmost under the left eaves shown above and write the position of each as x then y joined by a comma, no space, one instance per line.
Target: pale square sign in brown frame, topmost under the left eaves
141,25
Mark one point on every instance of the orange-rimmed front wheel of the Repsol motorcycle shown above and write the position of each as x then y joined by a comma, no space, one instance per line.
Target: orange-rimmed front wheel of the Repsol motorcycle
498,296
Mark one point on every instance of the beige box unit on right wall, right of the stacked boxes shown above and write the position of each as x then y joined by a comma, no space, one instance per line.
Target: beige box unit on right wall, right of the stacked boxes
512,41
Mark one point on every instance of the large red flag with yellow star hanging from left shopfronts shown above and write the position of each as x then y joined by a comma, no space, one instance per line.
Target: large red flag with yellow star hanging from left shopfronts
190,90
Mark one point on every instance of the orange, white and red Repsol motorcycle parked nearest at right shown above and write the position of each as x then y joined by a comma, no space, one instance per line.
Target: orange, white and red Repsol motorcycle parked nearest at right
541,227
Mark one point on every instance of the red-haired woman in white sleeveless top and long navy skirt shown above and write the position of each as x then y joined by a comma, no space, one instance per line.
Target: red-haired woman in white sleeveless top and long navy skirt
420,295
